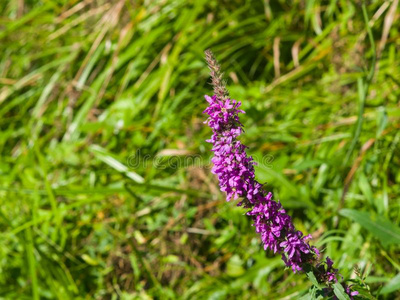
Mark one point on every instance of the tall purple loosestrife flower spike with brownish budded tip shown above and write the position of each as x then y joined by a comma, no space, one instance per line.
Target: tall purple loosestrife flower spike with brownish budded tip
236,176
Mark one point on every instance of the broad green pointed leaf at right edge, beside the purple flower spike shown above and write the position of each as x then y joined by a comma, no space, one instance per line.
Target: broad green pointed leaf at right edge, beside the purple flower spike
379,226
